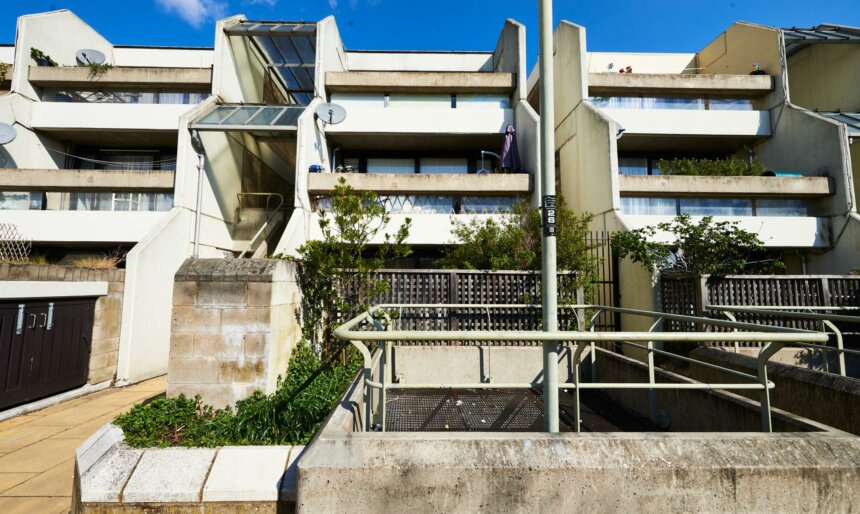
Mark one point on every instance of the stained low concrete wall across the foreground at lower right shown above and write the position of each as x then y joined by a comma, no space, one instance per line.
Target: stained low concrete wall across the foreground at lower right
606,472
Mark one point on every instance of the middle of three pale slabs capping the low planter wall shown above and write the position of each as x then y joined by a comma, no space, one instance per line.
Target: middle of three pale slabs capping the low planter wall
169,475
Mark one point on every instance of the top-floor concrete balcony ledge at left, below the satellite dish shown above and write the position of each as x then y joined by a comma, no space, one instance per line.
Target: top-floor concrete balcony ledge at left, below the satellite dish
124,77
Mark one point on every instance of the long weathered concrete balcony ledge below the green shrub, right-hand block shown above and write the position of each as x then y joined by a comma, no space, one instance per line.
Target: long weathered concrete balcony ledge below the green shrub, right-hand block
734,187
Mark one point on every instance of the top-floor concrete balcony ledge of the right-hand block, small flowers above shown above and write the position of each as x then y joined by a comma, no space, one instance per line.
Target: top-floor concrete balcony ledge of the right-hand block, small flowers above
609,84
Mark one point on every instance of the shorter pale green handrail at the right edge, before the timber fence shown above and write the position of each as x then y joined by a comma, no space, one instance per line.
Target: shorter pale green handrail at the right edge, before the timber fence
790,311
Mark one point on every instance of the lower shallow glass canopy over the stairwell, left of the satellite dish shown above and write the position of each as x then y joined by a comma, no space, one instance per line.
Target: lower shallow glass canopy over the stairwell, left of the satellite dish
250,118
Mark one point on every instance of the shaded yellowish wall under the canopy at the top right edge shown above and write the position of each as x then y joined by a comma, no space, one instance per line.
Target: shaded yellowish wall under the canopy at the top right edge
825,77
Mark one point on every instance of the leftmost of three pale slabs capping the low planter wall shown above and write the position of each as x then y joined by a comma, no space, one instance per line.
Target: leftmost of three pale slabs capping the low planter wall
103,481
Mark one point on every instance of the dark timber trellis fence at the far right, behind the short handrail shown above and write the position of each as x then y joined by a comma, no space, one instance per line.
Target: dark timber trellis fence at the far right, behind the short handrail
689,295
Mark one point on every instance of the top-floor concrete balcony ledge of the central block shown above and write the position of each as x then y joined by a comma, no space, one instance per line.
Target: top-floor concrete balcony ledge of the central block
420,82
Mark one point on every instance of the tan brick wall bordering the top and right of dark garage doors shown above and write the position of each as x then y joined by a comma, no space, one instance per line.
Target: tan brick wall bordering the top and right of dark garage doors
108,315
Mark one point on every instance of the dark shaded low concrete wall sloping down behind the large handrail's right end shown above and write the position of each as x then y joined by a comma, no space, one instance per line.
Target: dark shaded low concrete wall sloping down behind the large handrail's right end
827,398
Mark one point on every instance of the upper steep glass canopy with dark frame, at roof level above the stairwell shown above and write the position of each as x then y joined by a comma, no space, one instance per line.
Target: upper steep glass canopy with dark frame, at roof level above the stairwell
288,50
